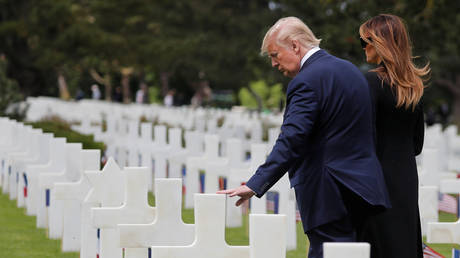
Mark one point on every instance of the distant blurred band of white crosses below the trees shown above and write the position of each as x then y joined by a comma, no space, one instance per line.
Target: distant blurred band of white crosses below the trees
90,113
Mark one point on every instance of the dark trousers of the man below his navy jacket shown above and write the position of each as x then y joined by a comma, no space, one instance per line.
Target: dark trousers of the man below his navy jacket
350,228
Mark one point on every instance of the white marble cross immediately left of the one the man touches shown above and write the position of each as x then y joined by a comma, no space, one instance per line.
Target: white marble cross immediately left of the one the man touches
167,227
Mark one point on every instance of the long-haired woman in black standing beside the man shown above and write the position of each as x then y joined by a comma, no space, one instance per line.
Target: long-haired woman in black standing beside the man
396,87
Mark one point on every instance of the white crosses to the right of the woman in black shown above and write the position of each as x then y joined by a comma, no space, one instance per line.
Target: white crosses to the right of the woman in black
438,161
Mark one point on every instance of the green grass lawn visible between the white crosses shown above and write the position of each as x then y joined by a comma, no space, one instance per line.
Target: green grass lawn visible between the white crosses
19,237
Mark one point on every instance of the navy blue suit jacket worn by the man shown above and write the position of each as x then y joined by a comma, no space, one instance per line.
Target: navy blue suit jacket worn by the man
326,138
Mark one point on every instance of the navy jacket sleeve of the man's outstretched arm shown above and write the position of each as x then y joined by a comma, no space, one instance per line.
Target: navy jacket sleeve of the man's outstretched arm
300,115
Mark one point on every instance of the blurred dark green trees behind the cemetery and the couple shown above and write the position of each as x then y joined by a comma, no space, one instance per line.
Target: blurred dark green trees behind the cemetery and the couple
202,52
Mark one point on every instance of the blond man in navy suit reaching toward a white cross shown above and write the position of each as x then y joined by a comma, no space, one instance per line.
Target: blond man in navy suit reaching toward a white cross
326,141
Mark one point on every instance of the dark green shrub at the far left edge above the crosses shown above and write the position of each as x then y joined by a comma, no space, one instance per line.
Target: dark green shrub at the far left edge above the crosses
9,90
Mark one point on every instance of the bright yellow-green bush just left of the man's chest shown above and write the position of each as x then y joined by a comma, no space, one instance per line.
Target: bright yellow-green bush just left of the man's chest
271,96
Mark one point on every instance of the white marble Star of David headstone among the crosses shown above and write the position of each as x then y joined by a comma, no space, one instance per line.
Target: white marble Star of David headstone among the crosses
108,191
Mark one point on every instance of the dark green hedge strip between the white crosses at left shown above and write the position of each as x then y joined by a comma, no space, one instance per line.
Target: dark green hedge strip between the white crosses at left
61,128
